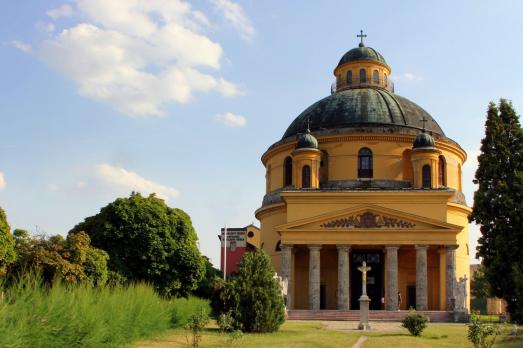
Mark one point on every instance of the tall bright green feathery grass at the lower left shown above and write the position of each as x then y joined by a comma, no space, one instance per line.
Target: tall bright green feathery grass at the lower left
81,316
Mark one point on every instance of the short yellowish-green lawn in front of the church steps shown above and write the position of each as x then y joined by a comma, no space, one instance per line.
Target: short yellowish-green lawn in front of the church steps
314,334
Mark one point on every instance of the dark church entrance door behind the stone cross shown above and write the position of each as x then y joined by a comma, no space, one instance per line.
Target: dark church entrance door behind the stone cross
374,259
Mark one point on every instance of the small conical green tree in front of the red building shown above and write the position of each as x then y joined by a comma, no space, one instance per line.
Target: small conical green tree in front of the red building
253,296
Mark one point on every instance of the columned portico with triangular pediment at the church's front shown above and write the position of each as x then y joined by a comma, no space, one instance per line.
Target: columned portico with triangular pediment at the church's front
320,255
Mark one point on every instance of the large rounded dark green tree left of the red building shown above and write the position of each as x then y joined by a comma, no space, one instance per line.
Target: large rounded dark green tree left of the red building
148,241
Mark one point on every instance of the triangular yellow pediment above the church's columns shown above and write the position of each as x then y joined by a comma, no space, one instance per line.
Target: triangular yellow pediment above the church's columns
366,217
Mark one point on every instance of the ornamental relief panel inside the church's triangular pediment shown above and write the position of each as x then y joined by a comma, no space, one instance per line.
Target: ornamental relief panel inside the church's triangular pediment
369,220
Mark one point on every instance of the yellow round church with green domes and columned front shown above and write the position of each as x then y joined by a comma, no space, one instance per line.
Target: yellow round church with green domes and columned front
366,175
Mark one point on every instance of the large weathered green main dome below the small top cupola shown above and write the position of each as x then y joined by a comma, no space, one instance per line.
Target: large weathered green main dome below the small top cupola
361,108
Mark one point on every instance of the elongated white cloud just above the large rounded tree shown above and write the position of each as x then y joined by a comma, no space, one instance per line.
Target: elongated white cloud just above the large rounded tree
120,177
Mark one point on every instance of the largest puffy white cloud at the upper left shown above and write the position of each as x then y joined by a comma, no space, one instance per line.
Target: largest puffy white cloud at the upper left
138,55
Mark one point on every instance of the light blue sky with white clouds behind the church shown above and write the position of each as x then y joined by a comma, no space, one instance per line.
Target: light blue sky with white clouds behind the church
99,98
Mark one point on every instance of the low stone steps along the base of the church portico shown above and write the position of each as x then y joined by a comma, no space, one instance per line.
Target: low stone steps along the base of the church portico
304,314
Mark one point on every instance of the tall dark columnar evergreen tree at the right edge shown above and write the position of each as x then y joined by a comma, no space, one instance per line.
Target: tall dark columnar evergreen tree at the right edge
498,205
